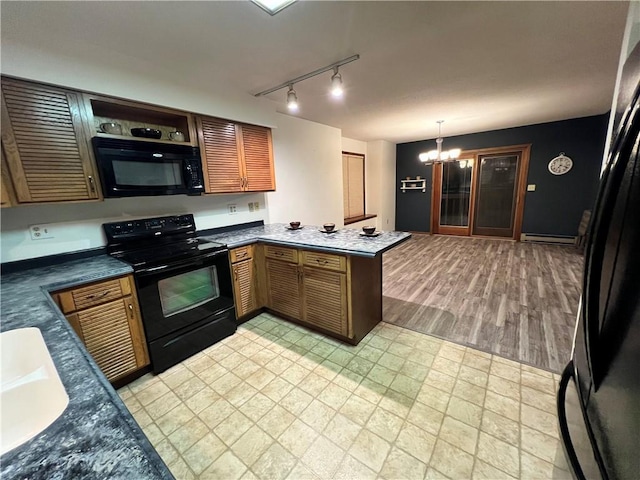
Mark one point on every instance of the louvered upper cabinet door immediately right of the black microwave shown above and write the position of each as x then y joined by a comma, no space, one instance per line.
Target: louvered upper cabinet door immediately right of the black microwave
219,149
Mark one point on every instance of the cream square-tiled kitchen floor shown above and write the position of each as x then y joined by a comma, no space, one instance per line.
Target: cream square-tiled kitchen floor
278,401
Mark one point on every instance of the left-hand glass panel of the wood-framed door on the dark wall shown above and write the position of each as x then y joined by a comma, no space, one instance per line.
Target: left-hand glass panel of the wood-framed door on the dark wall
454,189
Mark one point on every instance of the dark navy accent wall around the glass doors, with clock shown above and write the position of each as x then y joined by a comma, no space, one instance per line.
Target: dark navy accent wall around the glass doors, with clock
555,208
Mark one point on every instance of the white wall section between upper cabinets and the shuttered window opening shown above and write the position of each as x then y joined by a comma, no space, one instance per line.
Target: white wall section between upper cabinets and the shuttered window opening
308,164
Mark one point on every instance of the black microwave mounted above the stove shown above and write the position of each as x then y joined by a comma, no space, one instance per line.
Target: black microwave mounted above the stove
133,168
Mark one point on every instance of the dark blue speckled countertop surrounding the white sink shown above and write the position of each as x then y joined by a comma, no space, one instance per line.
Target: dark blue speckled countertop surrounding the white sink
96,436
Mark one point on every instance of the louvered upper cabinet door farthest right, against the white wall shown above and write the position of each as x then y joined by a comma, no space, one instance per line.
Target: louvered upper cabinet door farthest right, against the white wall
258,159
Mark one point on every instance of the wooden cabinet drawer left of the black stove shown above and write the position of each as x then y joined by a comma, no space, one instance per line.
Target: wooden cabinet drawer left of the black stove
93,294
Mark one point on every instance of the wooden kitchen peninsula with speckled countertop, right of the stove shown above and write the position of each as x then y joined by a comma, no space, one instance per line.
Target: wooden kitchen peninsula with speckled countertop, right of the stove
327,281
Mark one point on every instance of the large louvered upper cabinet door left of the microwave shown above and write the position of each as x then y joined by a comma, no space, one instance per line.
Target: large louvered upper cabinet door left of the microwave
45,145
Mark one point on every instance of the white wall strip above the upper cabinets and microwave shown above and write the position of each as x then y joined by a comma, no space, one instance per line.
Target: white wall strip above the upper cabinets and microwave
89,67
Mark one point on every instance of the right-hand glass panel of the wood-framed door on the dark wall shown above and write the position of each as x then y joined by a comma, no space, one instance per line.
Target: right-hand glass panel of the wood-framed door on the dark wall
496,194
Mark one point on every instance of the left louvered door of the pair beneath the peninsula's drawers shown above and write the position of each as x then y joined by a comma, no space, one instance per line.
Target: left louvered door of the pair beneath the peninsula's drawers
283,287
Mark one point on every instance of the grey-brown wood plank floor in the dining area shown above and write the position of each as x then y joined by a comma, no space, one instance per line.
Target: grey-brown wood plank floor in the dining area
517,300
